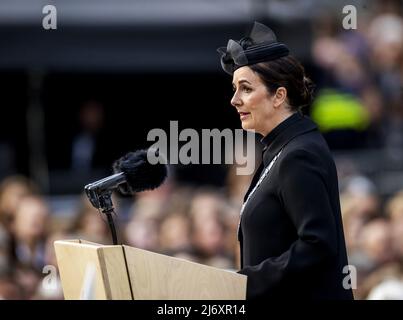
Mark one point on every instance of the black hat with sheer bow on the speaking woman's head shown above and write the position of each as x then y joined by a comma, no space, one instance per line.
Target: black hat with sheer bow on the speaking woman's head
261,45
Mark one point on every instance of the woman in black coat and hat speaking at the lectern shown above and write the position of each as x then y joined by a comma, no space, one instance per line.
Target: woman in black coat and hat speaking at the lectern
291,233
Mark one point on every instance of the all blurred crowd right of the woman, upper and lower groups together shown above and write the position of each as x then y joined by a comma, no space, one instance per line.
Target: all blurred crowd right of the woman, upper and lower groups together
359,105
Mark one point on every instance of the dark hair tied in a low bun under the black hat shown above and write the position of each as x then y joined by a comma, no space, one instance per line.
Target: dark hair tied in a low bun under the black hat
289,73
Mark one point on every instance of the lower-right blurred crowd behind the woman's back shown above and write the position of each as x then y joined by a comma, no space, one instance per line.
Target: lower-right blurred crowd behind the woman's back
373,230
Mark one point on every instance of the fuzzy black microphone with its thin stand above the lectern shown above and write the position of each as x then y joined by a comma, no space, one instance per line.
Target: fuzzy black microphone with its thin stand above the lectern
132,173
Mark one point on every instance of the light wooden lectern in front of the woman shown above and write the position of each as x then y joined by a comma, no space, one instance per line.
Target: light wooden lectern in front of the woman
93,271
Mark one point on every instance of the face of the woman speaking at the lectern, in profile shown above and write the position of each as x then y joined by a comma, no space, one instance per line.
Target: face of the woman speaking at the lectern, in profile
252,101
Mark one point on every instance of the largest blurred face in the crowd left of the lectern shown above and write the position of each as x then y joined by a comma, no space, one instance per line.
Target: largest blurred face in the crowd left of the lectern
30,219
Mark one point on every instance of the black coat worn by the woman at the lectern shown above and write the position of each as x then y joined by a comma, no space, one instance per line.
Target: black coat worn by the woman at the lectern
291,233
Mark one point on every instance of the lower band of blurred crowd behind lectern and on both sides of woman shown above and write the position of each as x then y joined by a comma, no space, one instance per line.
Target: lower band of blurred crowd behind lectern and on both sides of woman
196,224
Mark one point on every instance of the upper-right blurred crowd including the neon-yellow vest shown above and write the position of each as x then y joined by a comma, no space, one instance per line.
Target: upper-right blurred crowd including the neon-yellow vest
359,78
